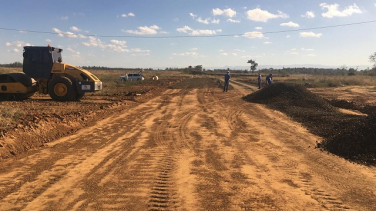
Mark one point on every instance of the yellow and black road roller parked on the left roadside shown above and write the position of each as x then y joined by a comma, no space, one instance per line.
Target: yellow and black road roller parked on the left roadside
44,72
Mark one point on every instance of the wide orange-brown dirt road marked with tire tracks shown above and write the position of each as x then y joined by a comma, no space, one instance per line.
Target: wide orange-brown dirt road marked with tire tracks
197,149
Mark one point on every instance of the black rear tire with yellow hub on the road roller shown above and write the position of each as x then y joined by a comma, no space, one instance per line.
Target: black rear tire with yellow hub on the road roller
61,88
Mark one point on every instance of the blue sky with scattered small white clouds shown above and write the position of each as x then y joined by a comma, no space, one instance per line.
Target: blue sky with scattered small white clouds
169,33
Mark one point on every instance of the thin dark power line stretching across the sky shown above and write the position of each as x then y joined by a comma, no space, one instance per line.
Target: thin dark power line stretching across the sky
188,36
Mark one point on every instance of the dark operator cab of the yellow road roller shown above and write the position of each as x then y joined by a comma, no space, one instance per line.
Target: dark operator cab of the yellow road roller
38,61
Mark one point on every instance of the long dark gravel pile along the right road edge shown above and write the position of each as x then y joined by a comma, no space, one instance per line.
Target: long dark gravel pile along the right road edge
349,136
